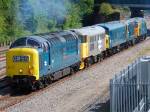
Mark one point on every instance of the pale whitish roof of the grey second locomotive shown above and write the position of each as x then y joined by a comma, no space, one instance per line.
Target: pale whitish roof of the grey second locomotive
90,31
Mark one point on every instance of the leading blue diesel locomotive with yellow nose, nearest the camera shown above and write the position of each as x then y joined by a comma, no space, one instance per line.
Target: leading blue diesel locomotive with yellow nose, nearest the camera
44,57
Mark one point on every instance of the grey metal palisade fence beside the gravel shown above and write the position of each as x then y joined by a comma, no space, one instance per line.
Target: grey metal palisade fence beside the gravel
130,89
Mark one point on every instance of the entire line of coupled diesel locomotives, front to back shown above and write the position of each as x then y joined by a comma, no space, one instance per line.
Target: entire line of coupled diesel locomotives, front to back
35,61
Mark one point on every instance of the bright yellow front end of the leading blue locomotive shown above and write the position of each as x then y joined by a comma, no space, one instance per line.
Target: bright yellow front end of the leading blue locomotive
22,63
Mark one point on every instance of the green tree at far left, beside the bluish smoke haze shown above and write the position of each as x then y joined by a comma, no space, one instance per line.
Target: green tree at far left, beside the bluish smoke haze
10,25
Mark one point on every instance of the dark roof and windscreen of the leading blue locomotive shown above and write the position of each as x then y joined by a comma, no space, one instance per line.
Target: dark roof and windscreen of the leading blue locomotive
39,39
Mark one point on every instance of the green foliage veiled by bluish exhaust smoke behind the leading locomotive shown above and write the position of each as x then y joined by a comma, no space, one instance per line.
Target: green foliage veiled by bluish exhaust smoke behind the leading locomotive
25,17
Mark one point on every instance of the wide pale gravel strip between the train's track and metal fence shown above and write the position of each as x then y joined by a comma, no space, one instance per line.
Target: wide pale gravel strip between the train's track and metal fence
77,92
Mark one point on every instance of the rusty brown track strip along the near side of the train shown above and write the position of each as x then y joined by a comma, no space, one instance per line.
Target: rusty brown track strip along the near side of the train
14,99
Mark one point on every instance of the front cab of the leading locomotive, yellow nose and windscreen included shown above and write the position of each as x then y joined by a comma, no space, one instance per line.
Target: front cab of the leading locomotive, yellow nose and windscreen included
23,60
